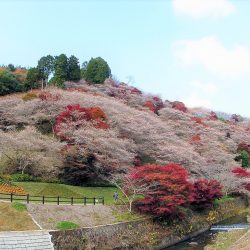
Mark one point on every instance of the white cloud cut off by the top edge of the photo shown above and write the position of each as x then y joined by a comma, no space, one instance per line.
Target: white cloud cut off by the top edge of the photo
203,8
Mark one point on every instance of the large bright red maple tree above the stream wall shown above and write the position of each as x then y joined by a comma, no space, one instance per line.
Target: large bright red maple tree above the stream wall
169,189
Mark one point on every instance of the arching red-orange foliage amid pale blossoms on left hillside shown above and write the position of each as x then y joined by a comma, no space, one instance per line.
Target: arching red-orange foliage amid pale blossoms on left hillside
74,116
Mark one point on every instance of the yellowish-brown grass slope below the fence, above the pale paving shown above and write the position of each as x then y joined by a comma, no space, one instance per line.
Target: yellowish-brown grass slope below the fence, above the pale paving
12,219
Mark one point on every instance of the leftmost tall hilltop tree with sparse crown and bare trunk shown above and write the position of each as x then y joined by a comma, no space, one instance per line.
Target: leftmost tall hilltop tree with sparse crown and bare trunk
46,67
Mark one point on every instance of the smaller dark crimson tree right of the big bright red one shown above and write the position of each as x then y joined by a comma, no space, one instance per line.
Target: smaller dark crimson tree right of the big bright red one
205,192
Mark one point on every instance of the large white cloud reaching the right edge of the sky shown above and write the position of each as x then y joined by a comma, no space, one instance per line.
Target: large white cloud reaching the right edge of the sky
213,56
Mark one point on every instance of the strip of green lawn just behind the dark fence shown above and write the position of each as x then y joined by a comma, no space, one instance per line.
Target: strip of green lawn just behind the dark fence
62,190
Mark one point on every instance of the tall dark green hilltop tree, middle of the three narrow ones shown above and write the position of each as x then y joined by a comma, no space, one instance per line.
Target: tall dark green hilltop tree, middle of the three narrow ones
61,70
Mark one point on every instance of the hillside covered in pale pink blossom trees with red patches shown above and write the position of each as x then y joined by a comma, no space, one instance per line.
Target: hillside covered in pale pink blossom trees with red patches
134,129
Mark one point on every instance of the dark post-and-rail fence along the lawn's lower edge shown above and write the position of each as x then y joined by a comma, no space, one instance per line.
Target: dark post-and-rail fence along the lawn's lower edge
51,199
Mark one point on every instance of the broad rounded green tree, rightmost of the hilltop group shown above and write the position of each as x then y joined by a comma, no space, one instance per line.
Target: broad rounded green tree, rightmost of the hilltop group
97,70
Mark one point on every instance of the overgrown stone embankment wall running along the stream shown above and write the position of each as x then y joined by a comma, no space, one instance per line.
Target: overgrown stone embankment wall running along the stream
144,234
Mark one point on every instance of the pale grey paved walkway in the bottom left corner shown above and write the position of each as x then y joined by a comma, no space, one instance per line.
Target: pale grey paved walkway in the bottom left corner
26,240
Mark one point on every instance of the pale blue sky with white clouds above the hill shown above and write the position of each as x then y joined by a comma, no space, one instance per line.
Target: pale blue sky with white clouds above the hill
195,51
